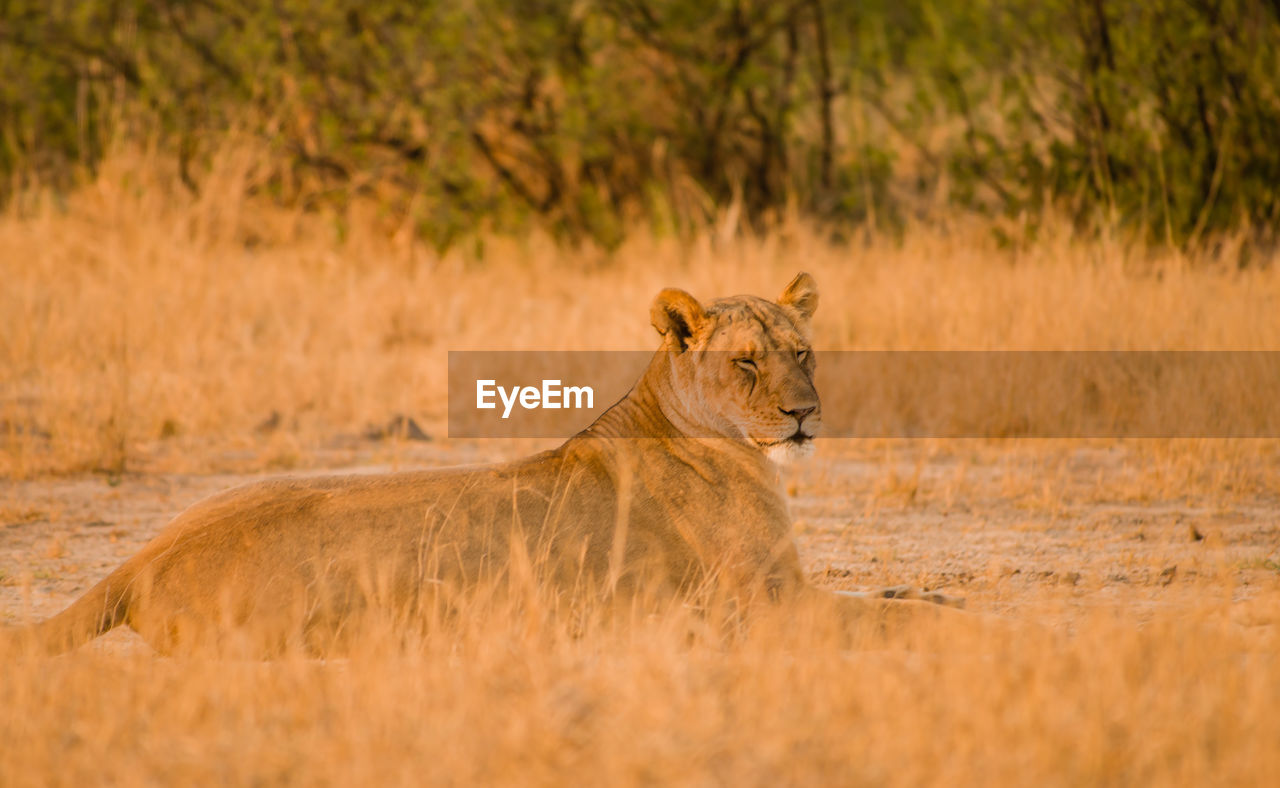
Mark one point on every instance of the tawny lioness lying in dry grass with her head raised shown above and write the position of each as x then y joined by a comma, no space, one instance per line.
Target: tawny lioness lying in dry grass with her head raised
693,502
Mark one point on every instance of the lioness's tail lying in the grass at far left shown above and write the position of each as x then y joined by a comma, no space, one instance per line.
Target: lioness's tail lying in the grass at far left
102,608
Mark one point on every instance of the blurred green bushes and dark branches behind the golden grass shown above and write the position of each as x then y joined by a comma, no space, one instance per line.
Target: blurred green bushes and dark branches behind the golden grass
589,117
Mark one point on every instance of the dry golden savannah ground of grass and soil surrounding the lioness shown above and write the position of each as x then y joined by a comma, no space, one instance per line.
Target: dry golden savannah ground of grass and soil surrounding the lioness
157,349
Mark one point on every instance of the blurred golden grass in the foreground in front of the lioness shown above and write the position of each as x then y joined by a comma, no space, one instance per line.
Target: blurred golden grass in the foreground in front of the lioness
515,700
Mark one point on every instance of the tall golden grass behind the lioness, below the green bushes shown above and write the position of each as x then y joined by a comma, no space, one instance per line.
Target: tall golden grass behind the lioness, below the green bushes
136,317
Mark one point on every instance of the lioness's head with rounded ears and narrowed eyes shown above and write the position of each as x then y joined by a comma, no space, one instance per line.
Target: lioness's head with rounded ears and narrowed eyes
743,366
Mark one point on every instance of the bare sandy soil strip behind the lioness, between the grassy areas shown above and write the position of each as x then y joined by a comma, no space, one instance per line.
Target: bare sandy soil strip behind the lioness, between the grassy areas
986,528
